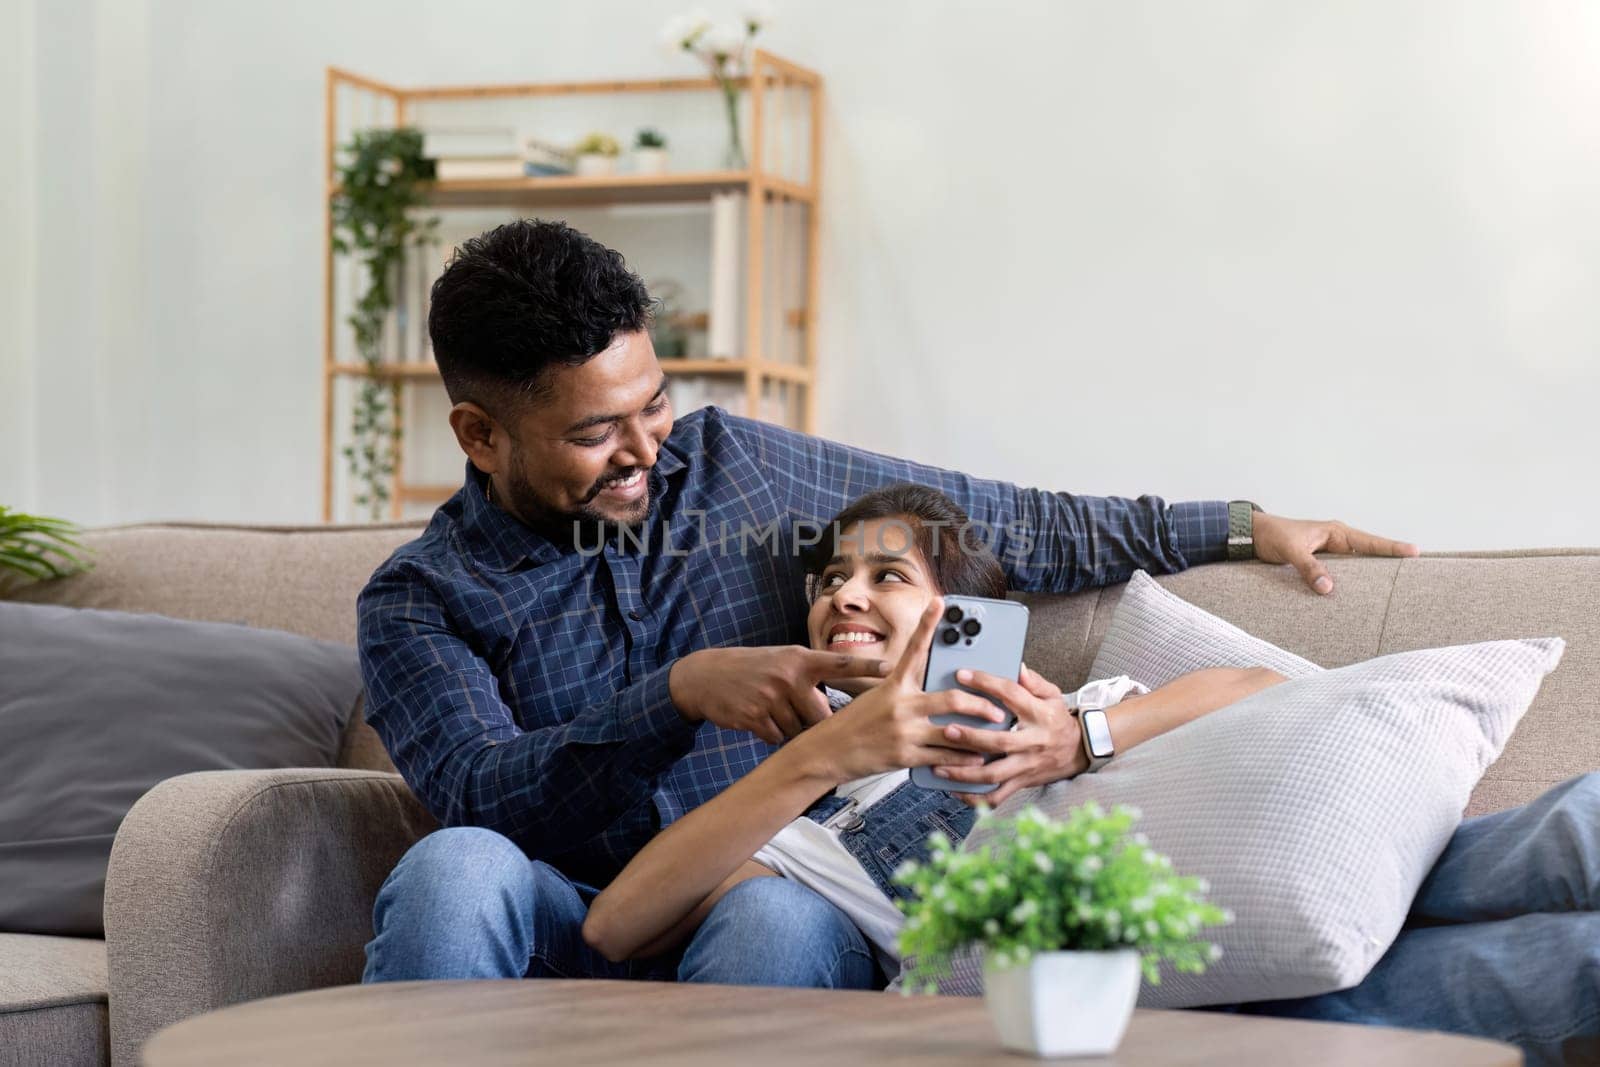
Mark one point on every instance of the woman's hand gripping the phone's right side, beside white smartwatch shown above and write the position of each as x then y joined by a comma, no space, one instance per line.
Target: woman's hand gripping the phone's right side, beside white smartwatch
1046,746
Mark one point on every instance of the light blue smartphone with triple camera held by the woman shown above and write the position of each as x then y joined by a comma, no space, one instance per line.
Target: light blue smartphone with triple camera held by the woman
978,634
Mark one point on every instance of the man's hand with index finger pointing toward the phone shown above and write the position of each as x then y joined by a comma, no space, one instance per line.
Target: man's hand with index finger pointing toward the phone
766,692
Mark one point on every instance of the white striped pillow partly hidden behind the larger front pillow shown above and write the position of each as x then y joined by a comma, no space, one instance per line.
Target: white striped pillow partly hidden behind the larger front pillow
1158,636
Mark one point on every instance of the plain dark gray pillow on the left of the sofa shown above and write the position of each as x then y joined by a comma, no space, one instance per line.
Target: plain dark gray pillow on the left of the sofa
100,706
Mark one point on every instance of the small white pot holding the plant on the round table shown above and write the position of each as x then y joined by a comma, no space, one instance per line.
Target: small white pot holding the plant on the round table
1065,1004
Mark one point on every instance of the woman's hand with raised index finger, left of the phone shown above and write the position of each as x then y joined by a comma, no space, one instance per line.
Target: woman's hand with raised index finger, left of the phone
887,727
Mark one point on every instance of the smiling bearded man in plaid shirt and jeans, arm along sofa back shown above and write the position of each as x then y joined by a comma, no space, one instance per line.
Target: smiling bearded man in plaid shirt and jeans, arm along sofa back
604,629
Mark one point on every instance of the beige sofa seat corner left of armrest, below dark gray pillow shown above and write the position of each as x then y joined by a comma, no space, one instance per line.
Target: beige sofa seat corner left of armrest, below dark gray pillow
54,1001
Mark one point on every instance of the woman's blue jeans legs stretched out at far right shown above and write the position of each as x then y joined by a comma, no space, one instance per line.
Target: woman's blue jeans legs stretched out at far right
1503,940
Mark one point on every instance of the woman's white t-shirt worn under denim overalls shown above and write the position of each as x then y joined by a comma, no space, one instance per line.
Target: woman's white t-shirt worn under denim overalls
810,853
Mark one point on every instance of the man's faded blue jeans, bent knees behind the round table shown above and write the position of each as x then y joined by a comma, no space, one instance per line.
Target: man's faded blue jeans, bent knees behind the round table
468,903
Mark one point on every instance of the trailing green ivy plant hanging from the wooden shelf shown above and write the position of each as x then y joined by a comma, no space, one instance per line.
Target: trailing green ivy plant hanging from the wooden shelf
382,185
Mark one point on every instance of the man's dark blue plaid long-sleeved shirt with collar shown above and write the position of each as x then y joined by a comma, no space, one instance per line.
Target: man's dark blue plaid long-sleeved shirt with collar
522,685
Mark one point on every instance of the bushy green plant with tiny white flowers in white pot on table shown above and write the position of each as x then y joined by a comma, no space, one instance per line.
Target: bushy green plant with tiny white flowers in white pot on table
1068,914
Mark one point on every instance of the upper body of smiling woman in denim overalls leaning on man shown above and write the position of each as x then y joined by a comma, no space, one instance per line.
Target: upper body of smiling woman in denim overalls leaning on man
834,809
